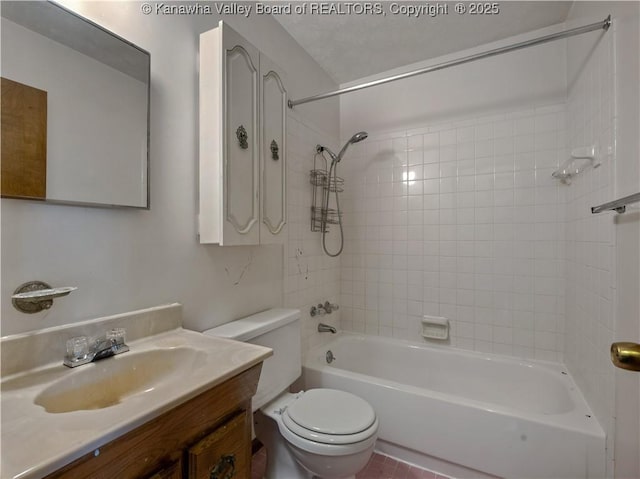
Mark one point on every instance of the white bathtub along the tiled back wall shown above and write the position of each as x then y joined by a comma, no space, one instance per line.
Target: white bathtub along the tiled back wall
463,413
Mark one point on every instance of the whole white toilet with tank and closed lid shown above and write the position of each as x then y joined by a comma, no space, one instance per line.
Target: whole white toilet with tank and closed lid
318,433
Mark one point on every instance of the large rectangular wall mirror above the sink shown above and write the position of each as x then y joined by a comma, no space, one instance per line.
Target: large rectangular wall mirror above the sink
75,109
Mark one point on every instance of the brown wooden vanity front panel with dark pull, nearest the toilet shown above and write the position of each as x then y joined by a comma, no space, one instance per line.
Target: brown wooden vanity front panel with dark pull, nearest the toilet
225,453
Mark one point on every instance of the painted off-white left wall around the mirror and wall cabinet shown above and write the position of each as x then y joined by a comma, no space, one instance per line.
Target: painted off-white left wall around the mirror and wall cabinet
124,260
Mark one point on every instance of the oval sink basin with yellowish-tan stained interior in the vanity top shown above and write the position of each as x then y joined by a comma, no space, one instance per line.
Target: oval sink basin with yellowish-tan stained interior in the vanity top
111,381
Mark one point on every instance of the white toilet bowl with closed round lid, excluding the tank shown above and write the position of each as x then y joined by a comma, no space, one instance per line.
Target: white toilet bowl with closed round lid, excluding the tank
321,433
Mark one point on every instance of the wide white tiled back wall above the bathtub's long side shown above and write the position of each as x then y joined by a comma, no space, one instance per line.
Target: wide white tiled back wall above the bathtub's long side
461,220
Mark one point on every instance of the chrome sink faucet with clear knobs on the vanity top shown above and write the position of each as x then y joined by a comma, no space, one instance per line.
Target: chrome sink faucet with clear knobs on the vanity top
82,350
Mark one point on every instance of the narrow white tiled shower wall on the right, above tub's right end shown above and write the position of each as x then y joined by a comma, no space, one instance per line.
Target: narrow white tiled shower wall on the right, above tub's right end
591,275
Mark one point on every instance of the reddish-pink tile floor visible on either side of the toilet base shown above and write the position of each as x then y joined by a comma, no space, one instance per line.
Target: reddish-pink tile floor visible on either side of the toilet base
379,467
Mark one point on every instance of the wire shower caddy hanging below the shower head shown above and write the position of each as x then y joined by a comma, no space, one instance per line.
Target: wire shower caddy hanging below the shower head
323,185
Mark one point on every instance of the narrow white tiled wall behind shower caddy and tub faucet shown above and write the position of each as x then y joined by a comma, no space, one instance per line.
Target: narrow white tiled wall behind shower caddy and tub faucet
311,277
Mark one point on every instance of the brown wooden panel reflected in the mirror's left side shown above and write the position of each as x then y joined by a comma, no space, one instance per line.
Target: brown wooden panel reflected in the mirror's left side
23,133
